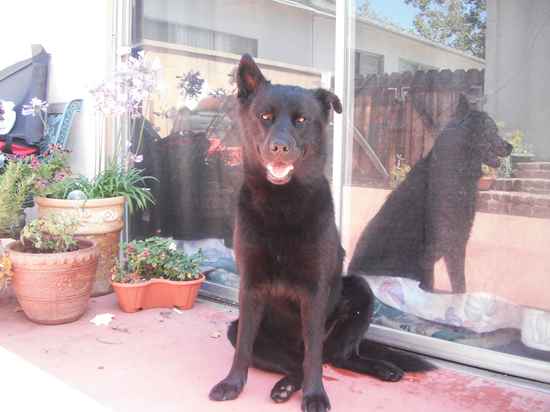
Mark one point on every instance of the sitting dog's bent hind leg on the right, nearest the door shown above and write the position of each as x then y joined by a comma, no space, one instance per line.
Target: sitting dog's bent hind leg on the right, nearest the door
351,324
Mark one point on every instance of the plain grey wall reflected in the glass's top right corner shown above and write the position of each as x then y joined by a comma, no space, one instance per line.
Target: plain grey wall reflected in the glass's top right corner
518,68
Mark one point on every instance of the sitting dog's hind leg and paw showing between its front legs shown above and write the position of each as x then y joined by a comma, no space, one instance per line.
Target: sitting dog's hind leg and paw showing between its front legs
271,357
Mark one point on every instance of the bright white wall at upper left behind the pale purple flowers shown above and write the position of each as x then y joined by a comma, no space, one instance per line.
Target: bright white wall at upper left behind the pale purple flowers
77,34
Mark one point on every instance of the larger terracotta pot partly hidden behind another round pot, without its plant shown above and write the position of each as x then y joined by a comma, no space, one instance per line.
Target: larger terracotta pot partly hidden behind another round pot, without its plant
102,220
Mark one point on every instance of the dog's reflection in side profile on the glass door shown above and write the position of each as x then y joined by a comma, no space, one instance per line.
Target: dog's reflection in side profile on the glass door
430,215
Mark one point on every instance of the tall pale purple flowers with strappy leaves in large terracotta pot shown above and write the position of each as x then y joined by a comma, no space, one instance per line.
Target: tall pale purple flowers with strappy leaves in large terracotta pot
100,202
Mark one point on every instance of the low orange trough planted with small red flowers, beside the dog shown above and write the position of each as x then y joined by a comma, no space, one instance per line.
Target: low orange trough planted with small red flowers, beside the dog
155,274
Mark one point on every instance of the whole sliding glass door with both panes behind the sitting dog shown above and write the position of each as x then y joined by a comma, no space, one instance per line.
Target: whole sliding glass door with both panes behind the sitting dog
440,164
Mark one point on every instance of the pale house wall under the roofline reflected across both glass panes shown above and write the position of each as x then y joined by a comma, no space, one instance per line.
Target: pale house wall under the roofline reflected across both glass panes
292,35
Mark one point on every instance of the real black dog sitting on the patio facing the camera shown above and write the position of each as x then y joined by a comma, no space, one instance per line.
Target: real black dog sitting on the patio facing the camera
296,309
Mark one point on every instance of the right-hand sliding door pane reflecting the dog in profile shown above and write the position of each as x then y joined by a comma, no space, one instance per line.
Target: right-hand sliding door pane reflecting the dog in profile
446,185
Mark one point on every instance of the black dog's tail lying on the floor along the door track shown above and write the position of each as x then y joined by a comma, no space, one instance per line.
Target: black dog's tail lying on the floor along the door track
406,361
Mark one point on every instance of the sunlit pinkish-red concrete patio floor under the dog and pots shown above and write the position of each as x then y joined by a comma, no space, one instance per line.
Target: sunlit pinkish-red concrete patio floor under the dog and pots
167,360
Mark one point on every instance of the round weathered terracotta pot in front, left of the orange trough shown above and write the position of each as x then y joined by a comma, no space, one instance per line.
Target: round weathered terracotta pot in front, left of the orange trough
53,288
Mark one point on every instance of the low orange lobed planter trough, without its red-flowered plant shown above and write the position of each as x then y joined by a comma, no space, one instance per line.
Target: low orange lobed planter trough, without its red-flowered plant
157,293
